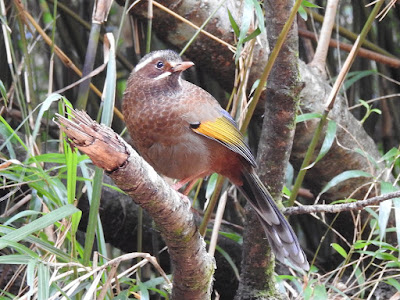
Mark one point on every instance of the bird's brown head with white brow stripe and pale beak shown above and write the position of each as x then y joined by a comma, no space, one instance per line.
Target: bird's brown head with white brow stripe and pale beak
162,66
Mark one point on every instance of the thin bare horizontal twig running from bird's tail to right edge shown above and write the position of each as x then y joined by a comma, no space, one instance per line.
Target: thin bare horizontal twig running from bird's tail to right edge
336,208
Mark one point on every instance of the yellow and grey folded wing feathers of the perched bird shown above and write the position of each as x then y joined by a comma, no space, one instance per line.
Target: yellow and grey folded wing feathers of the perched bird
224,130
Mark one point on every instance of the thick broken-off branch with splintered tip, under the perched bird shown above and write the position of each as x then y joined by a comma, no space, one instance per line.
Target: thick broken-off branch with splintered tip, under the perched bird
193,267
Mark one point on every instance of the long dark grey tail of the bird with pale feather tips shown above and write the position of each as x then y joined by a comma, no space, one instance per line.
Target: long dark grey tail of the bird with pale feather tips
281,237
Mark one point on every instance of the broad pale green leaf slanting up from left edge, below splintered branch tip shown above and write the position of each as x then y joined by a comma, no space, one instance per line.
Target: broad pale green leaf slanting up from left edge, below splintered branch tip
48,219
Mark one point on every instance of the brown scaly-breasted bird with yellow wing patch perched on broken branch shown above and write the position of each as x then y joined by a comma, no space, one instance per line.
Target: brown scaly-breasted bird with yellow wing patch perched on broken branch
183,133
